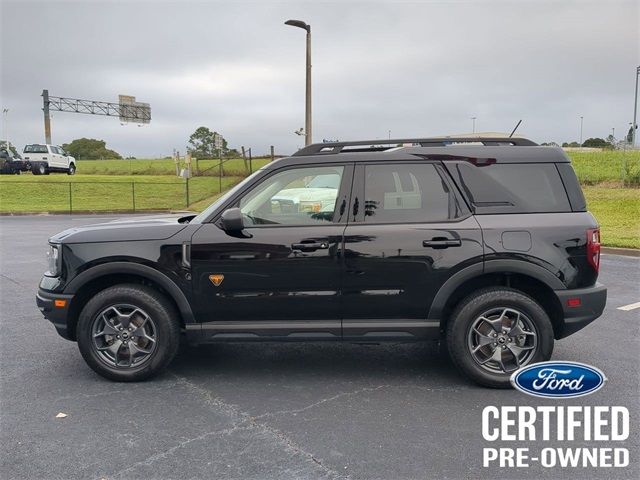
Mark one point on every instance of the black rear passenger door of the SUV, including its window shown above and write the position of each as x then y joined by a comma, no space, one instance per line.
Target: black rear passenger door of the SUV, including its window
411,232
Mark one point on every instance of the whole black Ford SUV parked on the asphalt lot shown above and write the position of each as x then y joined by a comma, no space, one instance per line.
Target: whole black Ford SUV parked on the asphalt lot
484,243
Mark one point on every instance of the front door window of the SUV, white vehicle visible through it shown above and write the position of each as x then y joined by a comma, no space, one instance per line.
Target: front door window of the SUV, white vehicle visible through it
299,196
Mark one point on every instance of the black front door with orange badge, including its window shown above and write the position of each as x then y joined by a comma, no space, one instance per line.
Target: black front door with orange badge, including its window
281,276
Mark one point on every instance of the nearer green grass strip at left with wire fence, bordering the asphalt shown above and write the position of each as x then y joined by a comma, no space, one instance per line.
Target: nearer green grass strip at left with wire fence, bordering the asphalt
95,193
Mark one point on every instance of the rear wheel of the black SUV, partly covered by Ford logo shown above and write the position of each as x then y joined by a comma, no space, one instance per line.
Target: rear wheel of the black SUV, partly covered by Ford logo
470,328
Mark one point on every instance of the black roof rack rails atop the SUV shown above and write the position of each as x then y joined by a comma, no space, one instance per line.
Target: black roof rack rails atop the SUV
378,145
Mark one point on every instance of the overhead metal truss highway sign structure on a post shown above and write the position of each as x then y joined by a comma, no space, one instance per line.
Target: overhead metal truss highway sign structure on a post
127,109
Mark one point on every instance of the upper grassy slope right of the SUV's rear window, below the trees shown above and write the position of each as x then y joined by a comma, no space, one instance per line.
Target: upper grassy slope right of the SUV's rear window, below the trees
611,167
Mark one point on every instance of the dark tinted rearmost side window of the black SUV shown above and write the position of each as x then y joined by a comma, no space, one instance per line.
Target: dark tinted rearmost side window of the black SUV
511,188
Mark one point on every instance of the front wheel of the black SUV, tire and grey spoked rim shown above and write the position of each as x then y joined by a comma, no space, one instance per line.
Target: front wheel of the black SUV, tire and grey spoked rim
150,315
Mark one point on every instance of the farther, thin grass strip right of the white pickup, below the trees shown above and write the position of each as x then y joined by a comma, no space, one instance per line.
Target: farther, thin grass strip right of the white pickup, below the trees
232,167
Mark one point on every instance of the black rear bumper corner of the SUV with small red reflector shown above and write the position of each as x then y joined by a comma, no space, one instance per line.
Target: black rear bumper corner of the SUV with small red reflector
592,302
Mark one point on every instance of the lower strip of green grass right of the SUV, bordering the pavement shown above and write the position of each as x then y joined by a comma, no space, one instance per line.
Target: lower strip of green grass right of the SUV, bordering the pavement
618,213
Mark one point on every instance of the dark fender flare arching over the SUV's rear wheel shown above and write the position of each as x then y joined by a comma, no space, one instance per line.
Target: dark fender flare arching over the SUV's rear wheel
490,266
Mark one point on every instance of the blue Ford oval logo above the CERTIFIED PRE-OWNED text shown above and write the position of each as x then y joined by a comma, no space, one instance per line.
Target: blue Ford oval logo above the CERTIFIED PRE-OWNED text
558,379
